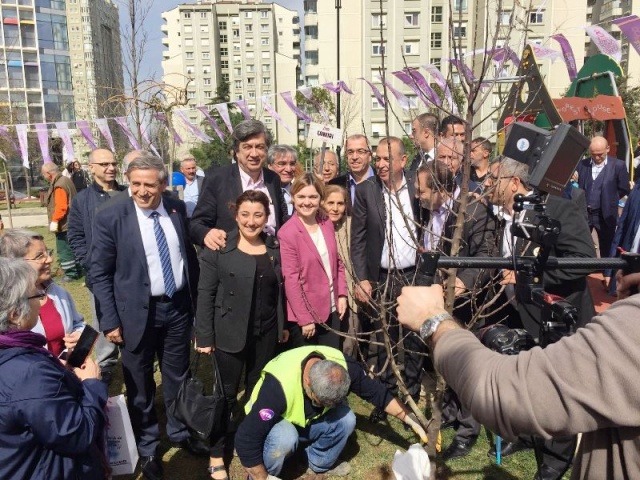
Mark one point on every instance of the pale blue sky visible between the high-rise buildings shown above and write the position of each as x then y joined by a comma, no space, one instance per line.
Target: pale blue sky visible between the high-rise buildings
151,66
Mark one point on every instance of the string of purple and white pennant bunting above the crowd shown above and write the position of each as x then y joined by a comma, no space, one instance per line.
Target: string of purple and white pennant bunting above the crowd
410,77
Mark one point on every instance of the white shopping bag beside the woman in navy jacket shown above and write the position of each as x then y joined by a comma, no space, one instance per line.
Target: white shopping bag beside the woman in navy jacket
122,451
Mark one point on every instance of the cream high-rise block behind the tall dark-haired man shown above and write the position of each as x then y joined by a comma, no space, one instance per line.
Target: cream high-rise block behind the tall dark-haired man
252,47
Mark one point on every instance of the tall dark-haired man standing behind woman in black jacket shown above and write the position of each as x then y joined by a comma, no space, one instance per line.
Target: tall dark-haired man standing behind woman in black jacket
212,218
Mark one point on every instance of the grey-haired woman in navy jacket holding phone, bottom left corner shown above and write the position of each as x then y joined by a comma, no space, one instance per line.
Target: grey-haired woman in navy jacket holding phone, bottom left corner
52,419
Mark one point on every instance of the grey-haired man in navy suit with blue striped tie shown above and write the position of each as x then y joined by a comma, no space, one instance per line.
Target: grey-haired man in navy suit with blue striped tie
144,272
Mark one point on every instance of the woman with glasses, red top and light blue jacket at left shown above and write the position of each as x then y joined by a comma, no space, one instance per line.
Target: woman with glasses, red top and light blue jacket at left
59,320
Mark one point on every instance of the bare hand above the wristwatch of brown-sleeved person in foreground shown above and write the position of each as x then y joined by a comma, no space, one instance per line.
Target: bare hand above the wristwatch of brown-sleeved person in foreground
416,304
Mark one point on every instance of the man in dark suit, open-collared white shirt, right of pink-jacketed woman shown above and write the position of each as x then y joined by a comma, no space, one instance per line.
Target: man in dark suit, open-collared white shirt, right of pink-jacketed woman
384,240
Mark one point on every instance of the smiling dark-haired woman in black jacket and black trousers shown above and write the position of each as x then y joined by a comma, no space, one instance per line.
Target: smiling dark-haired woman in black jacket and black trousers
240,316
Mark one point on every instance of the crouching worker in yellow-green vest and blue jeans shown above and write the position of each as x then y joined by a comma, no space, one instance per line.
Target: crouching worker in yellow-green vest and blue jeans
301,399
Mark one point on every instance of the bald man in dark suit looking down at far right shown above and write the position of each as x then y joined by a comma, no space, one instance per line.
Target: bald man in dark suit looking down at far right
605,180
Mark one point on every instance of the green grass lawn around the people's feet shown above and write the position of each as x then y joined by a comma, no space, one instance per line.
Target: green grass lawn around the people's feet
370,449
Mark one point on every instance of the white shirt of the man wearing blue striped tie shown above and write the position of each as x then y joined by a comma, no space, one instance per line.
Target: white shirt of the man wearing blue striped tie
145,222
